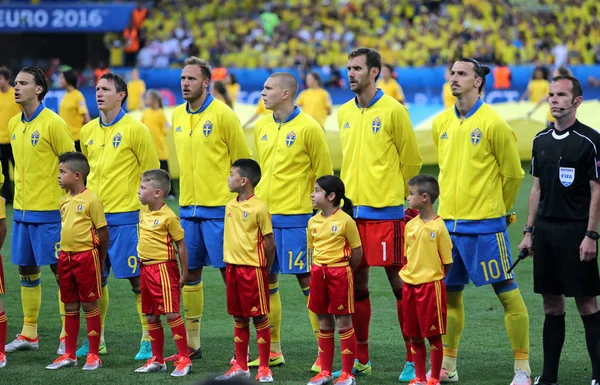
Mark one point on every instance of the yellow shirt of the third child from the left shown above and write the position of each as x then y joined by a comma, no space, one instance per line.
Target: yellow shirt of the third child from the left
246,224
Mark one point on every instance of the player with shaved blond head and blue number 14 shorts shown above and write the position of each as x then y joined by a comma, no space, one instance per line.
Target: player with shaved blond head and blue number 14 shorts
291,148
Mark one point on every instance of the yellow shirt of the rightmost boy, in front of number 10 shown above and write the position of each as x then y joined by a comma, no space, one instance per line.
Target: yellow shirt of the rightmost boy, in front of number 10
427,248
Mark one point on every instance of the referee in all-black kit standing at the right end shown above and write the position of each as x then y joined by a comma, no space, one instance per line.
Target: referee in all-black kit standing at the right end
564,207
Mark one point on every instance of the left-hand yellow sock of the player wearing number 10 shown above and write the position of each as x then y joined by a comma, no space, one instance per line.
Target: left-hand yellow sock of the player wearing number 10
454,328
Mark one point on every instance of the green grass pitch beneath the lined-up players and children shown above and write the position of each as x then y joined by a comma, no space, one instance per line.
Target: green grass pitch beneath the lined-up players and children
485,357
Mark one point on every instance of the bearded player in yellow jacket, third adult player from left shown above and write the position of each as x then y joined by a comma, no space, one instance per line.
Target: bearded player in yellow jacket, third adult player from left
208,139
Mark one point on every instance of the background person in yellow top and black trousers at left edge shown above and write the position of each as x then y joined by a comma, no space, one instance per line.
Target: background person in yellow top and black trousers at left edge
8,109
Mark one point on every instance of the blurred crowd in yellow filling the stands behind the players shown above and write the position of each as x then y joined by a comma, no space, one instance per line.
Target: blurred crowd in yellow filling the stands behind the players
317,33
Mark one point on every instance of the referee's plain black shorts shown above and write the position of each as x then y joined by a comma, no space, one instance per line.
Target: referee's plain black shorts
556,265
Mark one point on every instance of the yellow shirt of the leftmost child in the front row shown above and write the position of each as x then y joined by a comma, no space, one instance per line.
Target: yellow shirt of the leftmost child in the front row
81,215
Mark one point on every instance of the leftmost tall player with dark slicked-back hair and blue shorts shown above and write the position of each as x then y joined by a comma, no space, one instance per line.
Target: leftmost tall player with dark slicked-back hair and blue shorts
38,138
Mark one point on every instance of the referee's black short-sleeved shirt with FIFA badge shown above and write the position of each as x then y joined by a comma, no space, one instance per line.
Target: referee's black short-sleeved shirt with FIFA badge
565,162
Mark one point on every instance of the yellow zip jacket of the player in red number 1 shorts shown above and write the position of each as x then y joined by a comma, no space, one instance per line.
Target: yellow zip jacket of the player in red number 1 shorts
380,149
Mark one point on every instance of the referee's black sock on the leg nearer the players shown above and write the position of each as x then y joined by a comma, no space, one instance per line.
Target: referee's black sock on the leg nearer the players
554,338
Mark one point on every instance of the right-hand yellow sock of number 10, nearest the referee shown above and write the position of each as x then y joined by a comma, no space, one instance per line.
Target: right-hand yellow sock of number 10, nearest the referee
516,320
